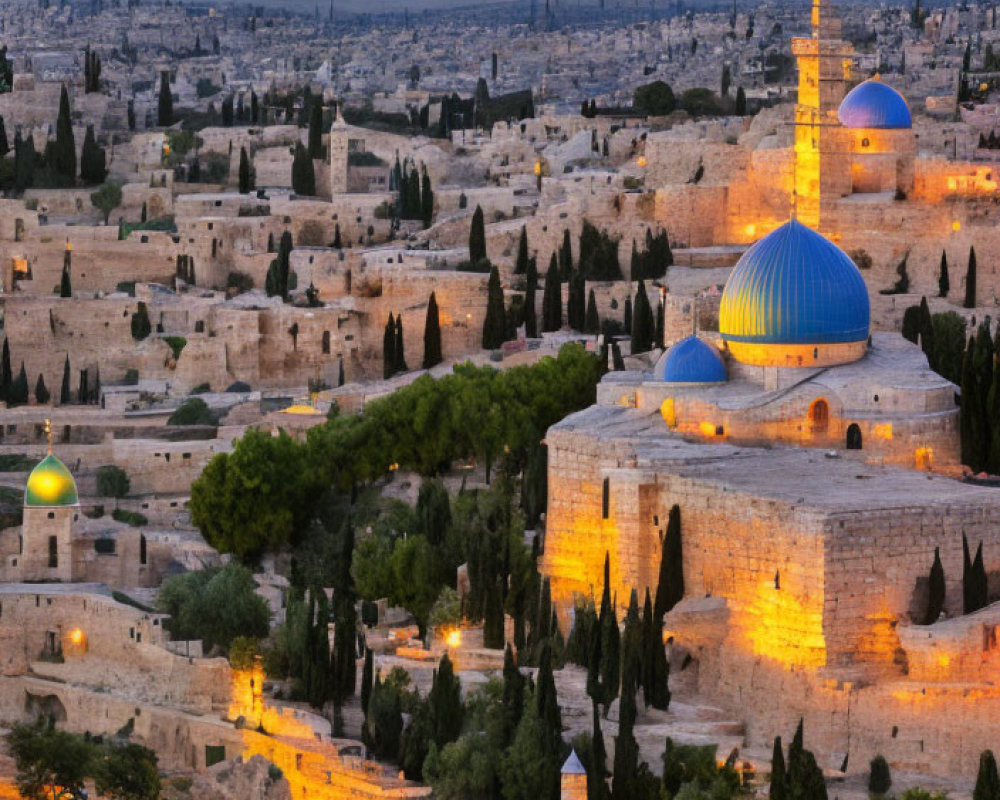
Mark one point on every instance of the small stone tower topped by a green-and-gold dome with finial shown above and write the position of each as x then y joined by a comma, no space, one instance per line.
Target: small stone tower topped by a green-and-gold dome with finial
50,506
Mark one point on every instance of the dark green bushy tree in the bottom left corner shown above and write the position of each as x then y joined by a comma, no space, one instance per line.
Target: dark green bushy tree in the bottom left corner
46,758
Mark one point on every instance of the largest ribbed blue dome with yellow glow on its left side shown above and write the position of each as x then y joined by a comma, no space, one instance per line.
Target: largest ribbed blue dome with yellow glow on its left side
794,287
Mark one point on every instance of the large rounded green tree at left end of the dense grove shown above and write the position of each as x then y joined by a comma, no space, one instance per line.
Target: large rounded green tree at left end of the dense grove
256,498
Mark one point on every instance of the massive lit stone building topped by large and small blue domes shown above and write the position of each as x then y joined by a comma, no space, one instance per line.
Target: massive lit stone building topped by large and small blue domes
810,462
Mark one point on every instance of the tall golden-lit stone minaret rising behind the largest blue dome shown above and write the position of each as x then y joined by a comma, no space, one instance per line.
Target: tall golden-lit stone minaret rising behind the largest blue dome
822,170
